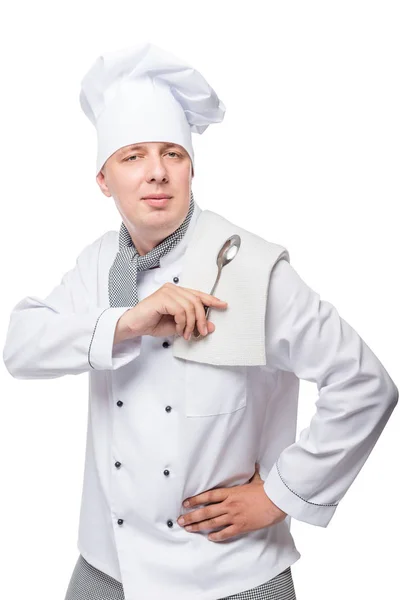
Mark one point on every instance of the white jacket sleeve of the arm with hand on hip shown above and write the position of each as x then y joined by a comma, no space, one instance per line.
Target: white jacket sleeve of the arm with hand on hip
306,335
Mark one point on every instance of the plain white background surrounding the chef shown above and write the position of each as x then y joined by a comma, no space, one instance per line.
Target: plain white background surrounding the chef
307,156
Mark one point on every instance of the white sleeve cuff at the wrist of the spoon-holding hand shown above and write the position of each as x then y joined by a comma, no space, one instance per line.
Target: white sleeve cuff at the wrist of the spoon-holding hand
102,353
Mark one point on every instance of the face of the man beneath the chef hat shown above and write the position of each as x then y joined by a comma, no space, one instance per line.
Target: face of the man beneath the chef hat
139,170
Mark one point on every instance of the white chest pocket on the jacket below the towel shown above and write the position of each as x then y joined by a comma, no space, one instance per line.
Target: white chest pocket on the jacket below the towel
214,389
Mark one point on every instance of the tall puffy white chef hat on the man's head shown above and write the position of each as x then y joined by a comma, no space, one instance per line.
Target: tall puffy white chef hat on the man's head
145,94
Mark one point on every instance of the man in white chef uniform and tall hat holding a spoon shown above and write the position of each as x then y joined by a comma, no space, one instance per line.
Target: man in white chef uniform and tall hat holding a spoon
192,470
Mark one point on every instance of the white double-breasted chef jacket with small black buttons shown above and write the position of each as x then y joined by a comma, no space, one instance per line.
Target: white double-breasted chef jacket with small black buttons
162,429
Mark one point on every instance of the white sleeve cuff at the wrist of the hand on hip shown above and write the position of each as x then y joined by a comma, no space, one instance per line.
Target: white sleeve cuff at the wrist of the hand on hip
295,506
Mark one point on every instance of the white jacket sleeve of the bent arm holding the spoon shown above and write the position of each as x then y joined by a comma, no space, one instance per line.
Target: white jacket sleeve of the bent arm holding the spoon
67,333
